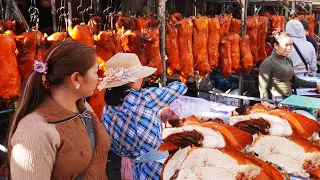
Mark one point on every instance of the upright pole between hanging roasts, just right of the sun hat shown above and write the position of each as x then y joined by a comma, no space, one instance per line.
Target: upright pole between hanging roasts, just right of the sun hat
161,6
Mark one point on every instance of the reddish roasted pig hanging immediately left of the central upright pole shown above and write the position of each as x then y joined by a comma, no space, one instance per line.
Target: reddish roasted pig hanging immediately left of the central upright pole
153,52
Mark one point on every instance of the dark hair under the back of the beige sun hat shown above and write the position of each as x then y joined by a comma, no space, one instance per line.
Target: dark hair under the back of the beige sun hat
115,96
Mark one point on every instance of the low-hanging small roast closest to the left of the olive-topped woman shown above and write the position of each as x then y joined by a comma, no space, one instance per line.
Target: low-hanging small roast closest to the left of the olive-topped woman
246,60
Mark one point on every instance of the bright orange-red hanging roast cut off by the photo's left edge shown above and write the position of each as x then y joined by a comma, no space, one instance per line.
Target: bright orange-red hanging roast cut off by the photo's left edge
9,73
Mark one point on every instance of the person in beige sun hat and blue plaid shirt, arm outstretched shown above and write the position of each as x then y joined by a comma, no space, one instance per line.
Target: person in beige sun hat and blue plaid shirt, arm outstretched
131,116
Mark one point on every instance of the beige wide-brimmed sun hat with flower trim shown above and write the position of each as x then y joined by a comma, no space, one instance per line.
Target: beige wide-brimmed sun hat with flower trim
123,68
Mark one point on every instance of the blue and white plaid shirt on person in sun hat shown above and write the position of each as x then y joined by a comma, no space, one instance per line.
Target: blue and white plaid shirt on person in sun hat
135,126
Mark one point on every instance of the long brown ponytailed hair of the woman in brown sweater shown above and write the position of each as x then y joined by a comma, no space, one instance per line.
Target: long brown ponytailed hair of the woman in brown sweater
63,60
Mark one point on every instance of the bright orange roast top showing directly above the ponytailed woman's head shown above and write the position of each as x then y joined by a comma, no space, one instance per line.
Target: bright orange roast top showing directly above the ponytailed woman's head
82,33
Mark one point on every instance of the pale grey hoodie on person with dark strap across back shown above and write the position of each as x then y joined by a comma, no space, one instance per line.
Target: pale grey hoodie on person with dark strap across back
295,28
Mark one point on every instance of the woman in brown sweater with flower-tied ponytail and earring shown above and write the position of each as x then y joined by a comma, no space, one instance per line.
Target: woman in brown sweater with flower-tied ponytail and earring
54,133
